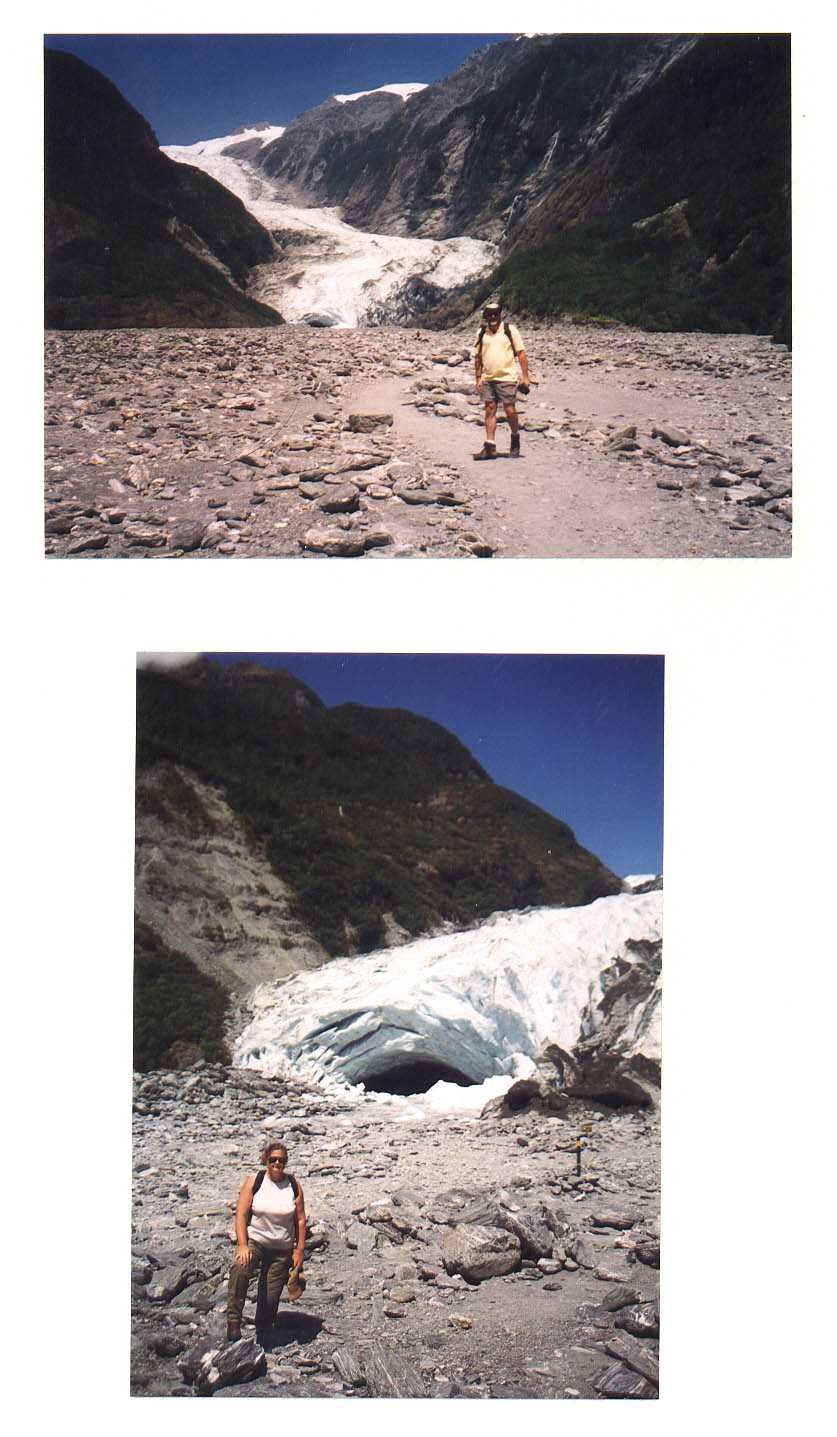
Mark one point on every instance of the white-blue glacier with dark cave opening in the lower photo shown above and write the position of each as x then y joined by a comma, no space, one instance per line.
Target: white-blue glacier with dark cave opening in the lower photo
481,1005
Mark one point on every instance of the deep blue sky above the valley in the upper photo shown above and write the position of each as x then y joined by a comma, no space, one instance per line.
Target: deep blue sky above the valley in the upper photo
198,87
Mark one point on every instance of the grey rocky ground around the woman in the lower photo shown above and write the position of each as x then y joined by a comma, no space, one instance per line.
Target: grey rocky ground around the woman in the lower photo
449,1257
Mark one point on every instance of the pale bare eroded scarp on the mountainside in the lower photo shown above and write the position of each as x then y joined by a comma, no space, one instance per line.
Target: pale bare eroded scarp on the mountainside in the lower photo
206,890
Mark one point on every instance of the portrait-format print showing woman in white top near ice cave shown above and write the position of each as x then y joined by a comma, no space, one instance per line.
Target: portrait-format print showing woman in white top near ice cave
398,1060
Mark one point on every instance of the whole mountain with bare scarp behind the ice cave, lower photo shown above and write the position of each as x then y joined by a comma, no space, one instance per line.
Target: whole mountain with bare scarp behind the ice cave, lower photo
274,833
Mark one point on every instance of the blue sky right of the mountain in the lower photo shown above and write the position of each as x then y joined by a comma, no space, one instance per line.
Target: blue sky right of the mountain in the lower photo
579,735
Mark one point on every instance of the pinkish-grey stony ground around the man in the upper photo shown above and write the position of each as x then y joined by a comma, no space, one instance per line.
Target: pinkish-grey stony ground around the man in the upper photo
311,443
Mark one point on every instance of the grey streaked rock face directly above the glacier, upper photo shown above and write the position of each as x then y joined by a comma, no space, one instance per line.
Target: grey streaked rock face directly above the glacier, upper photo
458,156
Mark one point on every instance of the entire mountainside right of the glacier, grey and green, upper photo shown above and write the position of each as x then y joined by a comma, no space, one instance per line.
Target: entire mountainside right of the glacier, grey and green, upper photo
638,177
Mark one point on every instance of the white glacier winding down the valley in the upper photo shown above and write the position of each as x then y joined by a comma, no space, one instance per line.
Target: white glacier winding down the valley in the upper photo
333,275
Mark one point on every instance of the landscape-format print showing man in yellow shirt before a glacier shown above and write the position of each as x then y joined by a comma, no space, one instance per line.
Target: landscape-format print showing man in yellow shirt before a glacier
418,295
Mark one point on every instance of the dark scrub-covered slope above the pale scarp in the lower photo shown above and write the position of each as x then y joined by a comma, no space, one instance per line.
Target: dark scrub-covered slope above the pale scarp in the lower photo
379,821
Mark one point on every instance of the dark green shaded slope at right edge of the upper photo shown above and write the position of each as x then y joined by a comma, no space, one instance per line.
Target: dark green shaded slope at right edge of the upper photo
681,213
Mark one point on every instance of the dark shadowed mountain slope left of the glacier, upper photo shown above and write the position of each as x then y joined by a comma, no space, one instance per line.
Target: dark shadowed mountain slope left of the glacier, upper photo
132,238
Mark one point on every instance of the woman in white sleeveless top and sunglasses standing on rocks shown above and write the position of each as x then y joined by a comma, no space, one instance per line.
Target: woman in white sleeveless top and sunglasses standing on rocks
270,1238
